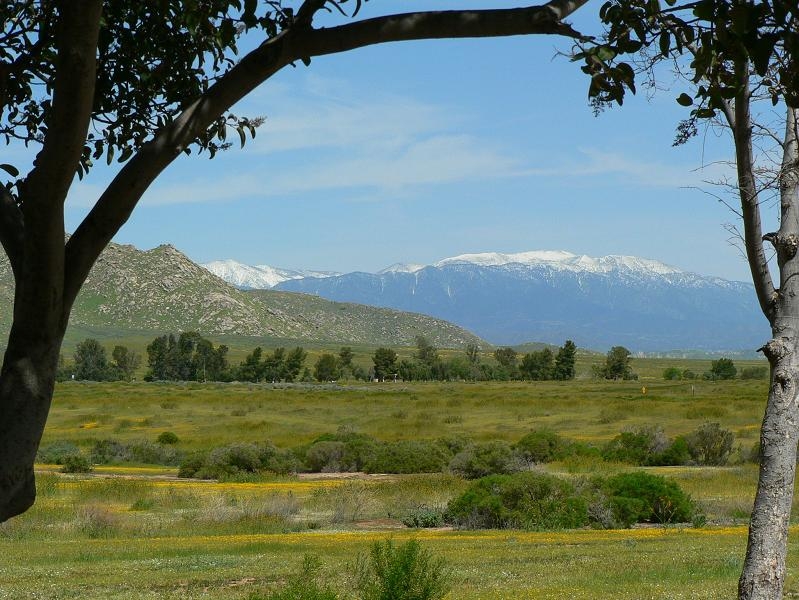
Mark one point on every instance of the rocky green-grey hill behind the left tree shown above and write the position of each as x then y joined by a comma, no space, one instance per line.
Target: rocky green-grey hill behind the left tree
161,290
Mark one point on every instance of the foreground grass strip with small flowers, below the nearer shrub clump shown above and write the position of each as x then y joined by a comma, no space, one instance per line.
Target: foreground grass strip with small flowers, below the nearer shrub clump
634,564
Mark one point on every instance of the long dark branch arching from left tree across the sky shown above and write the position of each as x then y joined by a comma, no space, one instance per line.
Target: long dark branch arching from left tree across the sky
115,205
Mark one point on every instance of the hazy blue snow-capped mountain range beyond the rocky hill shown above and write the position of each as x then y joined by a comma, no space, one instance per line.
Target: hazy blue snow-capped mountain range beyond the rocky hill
549,296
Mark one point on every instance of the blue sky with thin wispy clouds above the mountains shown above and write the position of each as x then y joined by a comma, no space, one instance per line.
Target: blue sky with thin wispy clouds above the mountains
419,151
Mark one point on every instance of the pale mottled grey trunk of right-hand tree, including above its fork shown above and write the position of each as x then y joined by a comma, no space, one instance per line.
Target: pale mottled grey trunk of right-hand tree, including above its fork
763,574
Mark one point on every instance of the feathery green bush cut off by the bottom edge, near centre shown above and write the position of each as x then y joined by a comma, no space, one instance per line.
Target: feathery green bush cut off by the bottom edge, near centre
404,572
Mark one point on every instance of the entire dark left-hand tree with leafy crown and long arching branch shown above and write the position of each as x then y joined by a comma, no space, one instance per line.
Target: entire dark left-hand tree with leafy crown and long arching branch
142,83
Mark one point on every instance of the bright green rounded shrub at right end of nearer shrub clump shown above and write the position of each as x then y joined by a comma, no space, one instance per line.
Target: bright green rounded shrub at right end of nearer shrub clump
643,497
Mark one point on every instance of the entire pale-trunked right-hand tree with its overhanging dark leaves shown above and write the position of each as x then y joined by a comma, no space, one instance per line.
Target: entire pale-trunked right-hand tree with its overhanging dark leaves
736,56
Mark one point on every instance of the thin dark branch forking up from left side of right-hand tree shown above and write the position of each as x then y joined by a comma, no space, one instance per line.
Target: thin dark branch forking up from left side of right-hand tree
753,234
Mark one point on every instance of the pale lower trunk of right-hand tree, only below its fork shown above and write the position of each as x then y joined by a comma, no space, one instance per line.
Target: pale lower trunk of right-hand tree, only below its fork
764,567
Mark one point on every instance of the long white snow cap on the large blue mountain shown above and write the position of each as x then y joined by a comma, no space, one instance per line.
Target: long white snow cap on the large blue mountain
559,259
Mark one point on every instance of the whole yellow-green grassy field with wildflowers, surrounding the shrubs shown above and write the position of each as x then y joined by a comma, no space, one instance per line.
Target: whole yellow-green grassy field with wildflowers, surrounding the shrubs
139,532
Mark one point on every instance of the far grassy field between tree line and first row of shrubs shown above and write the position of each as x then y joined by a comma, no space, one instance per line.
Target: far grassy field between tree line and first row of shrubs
206,415
